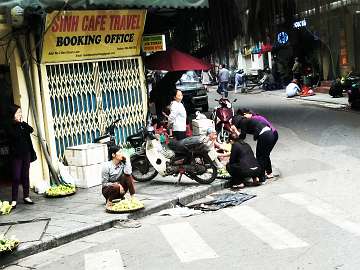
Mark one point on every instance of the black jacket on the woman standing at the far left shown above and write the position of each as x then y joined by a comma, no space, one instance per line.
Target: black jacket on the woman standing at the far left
19,140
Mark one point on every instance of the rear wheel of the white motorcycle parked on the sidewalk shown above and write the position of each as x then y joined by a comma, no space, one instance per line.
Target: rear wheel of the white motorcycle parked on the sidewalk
211,171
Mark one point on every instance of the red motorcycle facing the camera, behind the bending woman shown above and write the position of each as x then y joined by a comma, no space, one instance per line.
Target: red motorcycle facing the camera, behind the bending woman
222,116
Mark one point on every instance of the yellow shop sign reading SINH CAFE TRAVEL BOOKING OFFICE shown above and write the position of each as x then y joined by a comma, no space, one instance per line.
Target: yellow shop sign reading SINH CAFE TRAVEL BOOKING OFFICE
81,35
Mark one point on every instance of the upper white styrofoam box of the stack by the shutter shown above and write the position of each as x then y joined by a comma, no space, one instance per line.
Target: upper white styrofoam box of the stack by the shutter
86,154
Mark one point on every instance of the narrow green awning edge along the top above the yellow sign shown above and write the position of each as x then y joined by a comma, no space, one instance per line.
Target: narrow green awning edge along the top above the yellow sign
109,3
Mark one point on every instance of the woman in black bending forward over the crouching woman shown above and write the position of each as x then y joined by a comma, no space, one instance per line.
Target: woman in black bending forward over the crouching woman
262,134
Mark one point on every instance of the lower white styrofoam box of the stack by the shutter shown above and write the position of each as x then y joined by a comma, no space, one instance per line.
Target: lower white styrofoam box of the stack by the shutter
86,176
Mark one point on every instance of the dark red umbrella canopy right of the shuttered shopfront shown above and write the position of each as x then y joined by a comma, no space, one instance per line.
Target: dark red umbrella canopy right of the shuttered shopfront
174,60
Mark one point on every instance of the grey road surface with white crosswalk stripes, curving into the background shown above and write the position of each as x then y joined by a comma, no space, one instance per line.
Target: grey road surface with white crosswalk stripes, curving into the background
309,218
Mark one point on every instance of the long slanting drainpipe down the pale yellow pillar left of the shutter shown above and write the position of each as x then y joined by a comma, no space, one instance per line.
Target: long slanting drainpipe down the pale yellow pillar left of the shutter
29,87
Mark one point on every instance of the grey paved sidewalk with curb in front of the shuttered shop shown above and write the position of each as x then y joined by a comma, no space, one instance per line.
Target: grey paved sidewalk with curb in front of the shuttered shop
51,222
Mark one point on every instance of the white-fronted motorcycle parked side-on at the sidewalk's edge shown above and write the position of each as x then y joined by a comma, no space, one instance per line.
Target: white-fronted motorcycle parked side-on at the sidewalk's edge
190,157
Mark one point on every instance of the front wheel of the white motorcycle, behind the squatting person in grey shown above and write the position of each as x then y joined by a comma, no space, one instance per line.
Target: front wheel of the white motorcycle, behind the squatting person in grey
142,170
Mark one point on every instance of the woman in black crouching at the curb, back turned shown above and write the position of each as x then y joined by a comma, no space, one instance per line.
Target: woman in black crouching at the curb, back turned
242,163
